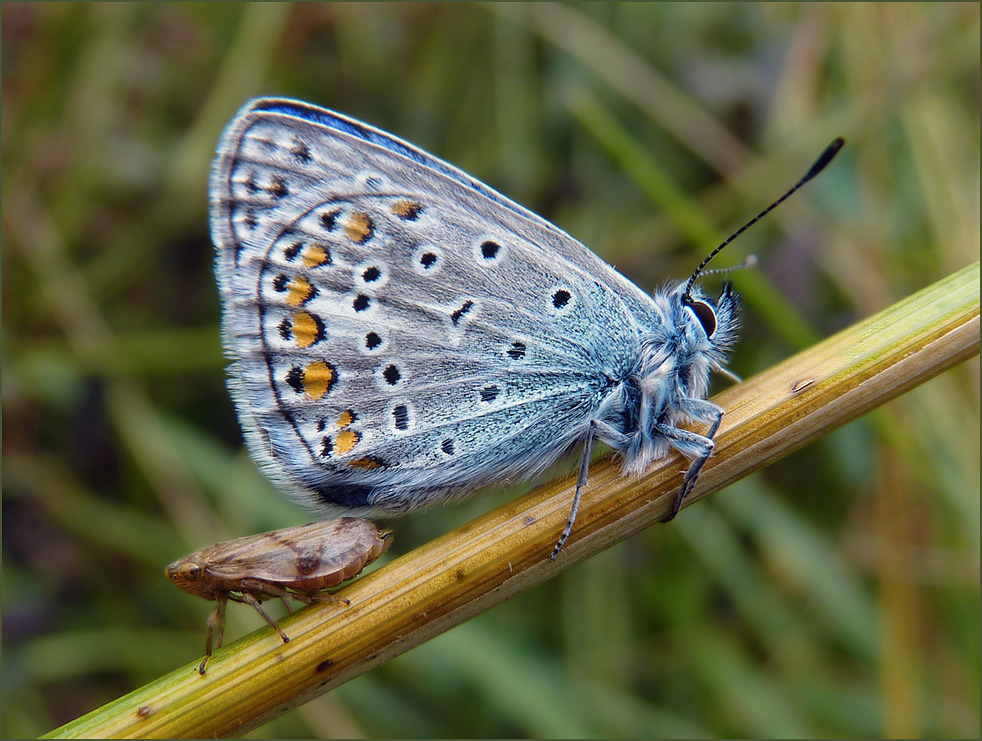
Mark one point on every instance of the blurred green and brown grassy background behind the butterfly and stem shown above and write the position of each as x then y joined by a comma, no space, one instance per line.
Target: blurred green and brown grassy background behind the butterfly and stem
833,594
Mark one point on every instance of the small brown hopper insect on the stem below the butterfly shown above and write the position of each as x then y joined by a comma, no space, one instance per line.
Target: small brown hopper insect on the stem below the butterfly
292,563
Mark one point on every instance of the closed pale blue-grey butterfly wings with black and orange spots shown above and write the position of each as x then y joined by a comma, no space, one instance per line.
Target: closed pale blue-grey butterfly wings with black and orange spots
398,331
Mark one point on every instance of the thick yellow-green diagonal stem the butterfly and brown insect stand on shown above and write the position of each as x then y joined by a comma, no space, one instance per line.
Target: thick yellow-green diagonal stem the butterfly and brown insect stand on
473,568
